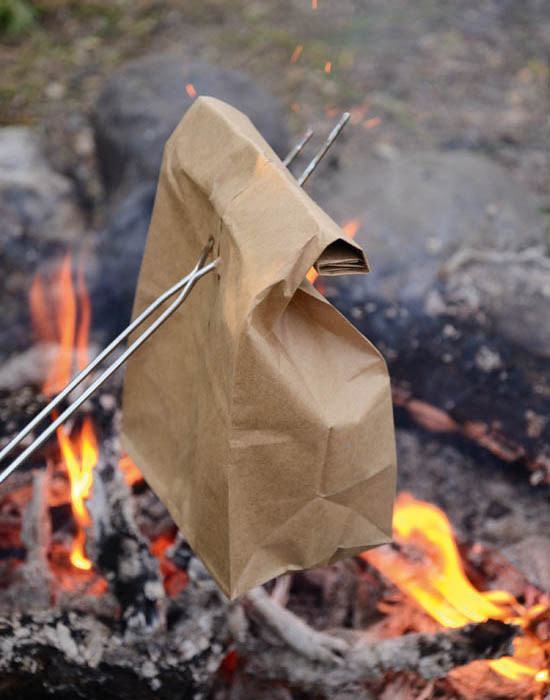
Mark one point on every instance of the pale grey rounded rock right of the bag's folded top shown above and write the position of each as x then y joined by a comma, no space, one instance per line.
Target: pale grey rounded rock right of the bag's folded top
419,209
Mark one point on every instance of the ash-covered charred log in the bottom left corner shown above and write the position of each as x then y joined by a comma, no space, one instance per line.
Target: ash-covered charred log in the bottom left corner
54,651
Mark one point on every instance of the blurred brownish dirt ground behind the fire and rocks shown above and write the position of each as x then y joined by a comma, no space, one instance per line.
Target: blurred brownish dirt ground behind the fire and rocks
417,75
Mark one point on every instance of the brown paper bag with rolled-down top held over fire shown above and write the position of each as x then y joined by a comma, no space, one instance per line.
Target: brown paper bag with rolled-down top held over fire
258,414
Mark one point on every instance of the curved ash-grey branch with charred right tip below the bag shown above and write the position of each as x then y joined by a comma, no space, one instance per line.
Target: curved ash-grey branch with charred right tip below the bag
281,647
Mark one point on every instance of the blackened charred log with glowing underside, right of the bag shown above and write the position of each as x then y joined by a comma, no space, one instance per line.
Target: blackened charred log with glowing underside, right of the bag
460,378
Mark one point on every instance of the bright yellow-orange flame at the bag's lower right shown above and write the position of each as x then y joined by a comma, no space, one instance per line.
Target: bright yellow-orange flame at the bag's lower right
440,586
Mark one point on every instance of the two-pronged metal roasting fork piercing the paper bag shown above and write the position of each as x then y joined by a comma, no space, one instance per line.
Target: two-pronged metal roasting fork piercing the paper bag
185,285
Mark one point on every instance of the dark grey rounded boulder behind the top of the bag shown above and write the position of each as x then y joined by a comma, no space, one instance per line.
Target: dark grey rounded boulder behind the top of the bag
141,105
